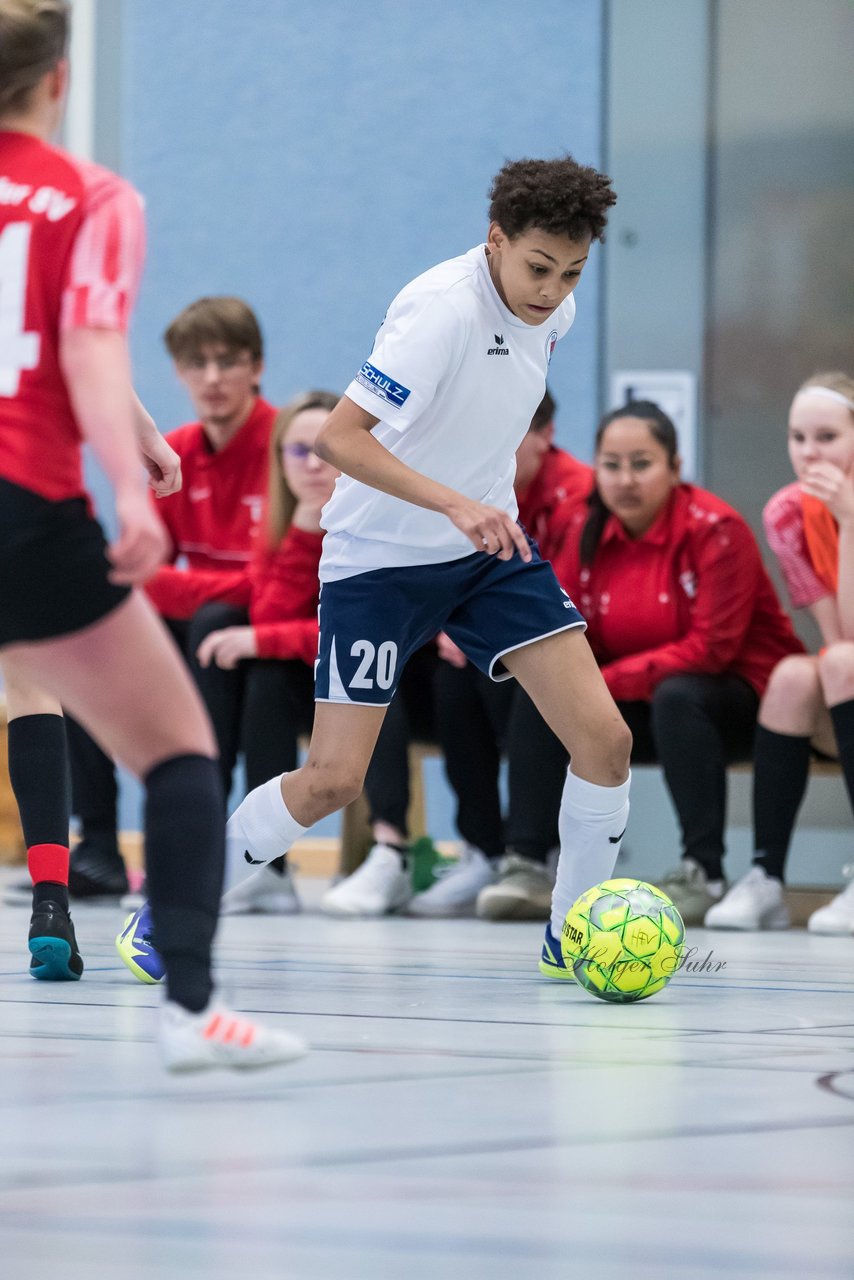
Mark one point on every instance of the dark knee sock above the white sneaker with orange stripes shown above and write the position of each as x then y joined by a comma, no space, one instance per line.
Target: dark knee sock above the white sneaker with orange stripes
185,821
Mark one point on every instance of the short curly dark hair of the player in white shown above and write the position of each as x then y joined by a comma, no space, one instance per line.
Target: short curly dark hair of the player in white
558,196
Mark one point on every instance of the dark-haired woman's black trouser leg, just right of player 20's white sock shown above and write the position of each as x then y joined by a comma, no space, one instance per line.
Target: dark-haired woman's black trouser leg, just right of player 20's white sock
700,724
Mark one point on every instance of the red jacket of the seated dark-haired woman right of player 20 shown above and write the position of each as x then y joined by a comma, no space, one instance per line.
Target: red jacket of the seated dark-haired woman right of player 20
691,596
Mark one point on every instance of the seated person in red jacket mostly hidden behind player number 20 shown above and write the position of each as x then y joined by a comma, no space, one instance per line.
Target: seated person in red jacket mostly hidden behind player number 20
472,711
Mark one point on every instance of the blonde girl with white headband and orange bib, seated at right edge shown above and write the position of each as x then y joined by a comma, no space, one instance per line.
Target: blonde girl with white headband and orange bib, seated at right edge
810,701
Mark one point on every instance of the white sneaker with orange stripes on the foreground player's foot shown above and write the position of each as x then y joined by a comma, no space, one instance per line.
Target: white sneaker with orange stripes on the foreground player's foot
221,1039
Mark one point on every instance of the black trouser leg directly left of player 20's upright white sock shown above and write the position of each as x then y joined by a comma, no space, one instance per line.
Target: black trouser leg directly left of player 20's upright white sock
538,764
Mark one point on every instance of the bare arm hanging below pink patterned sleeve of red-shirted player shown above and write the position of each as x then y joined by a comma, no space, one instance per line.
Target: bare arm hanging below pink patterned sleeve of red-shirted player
97,369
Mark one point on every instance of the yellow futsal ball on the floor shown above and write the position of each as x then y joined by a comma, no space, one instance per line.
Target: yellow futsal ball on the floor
623,940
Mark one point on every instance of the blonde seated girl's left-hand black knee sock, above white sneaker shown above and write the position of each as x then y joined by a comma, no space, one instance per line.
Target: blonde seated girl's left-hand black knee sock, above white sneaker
780,772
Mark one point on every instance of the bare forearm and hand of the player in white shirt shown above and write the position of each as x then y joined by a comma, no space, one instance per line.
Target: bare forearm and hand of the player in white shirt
346,444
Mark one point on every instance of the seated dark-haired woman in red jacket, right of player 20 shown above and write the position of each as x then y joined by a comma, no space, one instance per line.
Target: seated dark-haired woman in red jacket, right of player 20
687,628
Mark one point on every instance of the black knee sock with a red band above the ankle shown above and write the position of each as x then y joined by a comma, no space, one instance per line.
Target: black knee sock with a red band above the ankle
39,776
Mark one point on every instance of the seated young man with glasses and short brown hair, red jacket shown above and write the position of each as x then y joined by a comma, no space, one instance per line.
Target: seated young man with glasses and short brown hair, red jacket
218,351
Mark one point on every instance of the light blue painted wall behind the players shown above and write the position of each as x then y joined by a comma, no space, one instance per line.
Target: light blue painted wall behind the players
316,158
